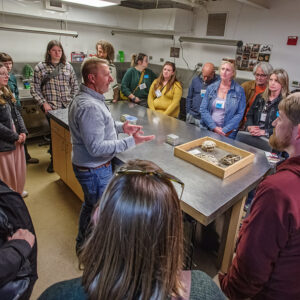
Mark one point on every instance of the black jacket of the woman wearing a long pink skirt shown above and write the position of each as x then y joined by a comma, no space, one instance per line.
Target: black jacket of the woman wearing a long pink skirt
9,113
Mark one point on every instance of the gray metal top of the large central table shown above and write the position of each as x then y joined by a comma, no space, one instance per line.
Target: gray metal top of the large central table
205,195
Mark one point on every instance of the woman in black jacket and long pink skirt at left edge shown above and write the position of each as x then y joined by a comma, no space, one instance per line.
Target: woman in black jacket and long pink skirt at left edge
12,137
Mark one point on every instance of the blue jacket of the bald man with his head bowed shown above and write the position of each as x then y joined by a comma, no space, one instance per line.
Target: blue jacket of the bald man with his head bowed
194,98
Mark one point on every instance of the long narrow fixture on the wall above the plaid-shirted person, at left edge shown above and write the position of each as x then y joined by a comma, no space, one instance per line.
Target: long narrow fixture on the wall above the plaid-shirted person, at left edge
38,30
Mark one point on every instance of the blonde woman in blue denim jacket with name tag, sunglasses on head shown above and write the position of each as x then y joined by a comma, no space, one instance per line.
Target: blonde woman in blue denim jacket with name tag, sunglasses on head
224,103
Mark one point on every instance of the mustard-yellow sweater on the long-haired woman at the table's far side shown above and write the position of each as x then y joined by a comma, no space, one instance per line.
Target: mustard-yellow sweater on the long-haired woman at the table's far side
168,103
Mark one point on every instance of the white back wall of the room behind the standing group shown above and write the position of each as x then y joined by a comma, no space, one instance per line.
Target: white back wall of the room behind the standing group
244,22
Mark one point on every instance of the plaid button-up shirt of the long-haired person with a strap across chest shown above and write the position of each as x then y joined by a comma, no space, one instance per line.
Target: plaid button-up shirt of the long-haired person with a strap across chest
58,91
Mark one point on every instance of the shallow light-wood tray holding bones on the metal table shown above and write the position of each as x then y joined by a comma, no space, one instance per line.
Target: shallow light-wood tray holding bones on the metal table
223,172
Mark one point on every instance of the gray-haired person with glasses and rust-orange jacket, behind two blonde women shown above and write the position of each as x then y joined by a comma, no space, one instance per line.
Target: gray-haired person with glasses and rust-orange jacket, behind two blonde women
254,87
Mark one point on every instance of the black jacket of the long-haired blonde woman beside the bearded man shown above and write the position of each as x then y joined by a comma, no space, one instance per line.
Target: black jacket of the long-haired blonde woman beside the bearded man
254,113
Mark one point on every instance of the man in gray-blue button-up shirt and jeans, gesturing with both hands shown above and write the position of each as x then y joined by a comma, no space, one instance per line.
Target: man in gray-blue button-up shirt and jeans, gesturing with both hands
94,138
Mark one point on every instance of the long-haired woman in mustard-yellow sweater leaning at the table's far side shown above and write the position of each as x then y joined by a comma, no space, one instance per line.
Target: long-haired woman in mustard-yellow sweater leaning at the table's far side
166,91
